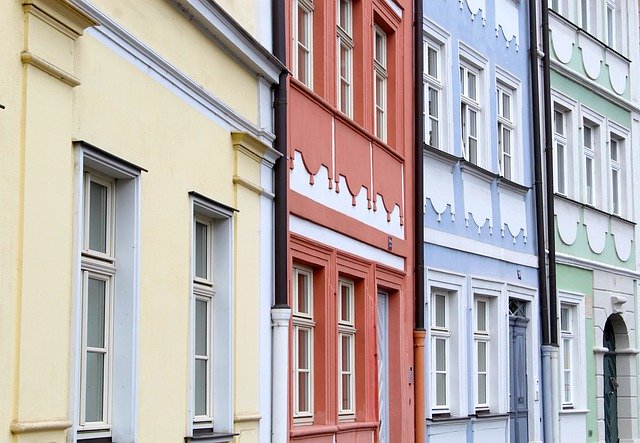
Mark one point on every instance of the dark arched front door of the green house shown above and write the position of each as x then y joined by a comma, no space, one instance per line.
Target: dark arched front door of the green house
610,386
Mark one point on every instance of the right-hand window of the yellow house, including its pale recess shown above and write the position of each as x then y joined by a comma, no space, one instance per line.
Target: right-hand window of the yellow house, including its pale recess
211,335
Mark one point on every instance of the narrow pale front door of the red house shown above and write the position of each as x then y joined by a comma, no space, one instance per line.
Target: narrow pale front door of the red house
383,366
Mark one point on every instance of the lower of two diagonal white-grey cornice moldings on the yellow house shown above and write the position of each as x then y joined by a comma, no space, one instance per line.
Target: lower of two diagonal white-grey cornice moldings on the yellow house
151,63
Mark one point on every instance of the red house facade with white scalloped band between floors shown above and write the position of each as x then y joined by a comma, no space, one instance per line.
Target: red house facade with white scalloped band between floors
350,191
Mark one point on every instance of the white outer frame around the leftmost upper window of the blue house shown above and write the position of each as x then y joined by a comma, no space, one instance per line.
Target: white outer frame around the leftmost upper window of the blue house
439,40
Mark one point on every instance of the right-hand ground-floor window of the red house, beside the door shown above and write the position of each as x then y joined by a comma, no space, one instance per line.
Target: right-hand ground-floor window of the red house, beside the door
346,349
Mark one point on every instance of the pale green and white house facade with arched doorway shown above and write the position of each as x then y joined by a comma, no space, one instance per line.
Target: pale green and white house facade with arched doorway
595,122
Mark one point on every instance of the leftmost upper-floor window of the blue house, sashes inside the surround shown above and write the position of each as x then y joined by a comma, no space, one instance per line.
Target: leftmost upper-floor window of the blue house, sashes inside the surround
433,93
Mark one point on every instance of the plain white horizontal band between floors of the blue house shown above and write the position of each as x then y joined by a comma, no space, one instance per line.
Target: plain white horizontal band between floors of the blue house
452,241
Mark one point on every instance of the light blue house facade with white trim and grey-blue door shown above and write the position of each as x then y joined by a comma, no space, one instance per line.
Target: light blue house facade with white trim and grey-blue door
482,359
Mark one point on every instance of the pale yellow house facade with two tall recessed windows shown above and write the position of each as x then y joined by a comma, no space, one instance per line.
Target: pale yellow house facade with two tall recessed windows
135,278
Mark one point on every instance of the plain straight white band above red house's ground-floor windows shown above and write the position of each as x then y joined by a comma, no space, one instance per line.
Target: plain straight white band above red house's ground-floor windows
336,240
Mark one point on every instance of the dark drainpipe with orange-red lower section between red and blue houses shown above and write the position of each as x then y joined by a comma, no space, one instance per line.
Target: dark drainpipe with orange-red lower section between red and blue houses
419,332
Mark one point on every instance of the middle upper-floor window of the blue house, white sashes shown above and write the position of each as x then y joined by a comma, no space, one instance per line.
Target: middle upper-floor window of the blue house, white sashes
470,113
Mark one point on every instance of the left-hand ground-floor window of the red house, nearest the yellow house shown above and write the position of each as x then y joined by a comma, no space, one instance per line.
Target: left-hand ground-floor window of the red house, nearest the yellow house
303,326
